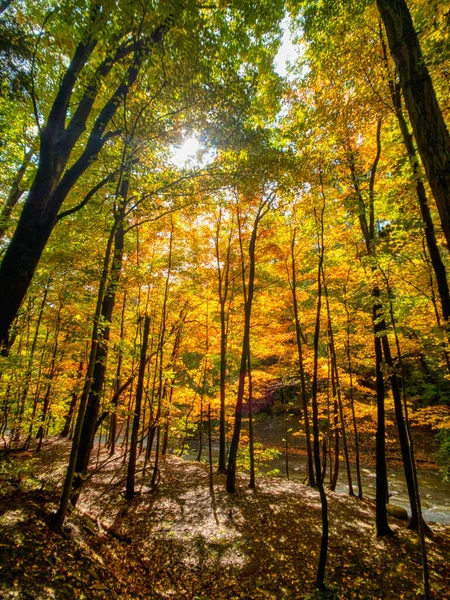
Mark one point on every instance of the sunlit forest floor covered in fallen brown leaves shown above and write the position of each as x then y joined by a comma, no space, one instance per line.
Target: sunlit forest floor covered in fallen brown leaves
183,541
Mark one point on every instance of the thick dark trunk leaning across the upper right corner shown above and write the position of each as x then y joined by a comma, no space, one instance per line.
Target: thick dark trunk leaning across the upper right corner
430,131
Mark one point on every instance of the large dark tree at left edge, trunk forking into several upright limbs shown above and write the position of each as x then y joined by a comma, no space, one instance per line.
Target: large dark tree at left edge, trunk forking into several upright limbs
64,127
